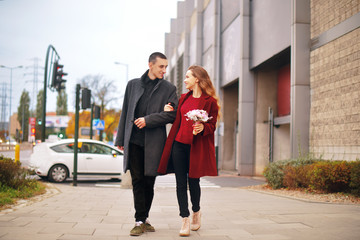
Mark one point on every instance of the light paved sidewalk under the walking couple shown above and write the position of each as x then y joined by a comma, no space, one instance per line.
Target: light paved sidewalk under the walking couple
106,213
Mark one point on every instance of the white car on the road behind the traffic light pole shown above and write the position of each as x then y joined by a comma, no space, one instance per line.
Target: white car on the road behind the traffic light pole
55,160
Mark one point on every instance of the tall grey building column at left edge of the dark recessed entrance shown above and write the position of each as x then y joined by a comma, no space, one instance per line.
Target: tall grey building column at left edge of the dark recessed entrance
246,127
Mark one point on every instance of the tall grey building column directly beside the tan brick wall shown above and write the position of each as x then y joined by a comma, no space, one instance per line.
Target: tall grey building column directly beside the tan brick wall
300,77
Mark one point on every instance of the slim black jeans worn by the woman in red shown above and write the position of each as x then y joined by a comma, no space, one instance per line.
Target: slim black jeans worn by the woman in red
181,158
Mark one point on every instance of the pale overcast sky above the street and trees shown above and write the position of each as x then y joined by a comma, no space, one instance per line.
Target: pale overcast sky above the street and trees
89,35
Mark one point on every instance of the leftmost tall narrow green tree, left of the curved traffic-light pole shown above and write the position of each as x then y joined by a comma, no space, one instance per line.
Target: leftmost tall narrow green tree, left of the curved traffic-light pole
24,113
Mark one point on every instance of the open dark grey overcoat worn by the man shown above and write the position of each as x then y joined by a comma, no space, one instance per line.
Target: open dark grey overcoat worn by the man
155,119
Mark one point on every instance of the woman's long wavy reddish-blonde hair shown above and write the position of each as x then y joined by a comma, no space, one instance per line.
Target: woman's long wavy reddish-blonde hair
205,83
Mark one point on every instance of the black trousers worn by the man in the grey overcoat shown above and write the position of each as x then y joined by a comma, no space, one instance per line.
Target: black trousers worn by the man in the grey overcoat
143,186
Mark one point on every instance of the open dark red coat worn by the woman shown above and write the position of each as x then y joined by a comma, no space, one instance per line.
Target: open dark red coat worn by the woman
202,153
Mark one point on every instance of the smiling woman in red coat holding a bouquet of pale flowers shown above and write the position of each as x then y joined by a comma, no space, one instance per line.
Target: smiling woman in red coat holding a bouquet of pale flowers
189,150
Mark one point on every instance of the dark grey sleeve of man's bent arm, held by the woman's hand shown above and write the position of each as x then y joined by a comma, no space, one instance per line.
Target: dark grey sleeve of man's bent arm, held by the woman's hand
160,119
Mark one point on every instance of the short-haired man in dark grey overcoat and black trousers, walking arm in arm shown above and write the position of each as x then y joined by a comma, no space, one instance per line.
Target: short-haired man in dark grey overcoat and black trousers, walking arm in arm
142,134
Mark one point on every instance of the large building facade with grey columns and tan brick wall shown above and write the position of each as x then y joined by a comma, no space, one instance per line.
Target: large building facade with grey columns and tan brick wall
287,73
